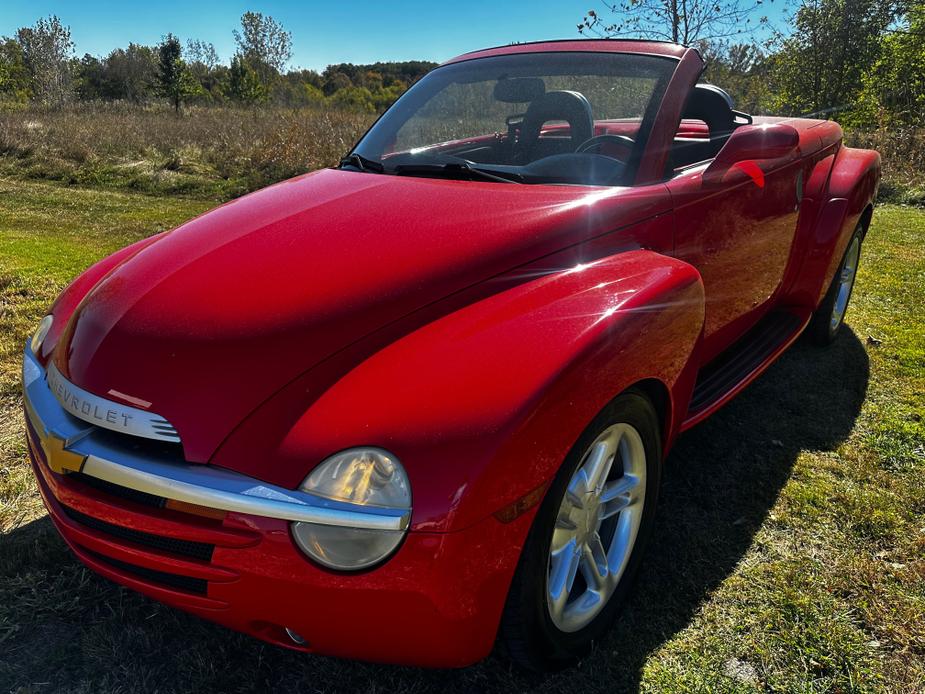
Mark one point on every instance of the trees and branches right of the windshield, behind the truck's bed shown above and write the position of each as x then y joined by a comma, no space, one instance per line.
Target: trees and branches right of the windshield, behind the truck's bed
859,61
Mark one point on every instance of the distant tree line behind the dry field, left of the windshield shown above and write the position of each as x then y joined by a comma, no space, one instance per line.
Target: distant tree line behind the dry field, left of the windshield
38,65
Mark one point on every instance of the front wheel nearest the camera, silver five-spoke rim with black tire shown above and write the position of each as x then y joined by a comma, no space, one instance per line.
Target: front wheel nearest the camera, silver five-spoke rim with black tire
586,541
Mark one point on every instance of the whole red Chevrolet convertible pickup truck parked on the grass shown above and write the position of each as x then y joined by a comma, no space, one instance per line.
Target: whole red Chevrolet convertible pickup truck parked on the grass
403,408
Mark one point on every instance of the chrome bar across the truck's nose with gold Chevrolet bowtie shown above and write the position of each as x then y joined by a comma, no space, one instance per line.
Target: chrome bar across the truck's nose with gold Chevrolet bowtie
72,445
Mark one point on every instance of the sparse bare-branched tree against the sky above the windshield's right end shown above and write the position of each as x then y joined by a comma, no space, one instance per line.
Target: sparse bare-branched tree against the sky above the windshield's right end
683,21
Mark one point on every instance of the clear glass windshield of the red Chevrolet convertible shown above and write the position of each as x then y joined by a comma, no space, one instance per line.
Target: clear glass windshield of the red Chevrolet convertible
561,118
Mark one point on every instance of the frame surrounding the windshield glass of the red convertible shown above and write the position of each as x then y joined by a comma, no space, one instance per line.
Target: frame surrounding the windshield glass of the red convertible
646,121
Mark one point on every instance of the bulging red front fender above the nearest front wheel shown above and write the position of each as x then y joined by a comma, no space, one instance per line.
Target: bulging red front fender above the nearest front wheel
482,405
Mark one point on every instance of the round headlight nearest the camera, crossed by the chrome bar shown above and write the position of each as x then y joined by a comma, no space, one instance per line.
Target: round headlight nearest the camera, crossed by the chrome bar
365,477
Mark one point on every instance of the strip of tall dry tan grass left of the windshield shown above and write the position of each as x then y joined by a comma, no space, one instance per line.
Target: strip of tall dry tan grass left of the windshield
215,151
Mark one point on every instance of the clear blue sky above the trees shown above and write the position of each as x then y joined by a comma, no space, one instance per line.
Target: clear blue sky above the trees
323,32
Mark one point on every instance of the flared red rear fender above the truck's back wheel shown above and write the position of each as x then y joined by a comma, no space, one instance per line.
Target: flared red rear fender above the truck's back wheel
852,189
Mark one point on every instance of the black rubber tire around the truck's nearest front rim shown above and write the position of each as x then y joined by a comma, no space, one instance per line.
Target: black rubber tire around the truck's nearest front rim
527,630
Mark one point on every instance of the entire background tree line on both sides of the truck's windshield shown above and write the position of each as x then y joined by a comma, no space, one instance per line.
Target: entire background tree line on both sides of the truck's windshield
861,61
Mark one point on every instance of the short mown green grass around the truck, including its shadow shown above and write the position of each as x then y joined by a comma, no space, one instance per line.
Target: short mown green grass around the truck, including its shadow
789,553
